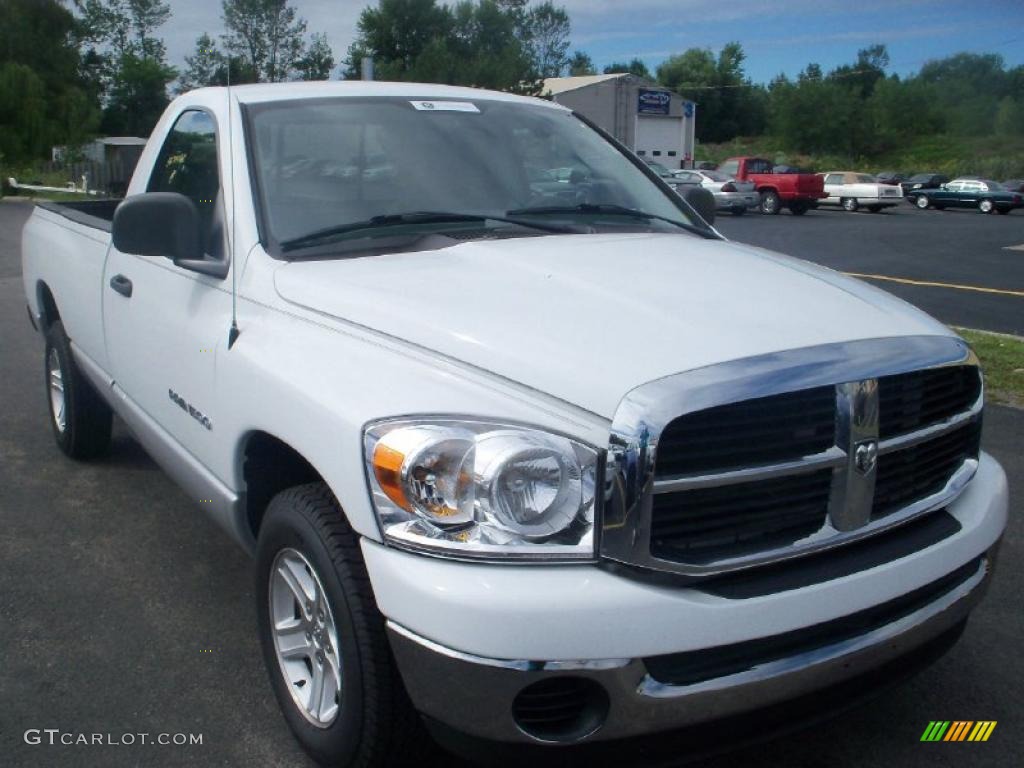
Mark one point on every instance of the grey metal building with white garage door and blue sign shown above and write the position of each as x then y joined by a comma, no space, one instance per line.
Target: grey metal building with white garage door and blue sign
655,122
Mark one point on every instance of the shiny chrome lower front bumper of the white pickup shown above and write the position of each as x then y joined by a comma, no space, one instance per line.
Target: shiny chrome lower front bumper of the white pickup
478,697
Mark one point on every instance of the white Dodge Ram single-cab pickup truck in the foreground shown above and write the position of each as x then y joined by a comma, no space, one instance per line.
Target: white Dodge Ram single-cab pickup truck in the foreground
521,462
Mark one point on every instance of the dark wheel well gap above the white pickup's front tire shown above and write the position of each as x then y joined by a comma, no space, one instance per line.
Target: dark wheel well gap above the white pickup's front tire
270,466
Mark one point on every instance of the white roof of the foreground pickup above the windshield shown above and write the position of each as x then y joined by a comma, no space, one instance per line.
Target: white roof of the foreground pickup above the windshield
264,93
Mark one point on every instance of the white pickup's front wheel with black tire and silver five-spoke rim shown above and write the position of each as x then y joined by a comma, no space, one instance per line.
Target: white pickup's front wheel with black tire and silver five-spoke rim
324,639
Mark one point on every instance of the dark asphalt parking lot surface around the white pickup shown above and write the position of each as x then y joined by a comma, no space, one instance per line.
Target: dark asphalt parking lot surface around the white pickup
124,611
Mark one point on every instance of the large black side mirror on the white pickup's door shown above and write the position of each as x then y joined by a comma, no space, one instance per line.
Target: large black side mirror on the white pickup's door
165,225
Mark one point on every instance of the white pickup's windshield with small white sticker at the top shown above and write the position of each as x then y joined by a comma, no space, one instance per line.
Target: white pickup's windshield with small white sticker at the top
344,169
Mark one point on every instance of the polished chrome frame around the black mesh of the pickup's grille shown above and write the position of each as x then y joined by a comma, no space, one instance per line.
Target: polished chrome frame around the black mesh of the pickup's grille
647,411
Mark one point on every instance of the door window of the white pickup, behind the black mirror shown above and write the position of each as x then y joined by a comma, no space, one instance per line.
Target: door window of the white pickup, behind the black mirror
188,165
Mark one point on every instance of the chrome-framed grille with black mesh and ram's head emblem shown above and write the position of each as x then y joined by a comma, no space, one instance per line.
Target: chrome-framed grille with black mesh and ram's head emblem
733,481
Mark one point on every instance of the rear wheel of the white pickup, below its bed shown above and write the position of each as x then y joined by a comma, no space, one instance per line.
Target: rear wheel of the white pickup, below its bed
79,417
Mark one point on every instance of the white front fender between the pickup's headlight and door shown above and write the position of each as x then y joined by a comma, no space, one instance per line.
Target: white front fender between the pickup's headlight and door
315,385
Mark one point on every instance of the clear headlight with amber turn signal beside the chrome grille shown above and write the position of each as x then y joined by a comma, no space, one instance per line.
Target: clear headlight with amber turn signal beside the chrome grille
482,489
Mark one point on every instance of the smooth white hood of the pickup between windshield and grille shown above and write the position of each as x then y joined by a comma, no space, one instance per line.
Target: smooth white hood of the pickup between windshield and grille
588,318
